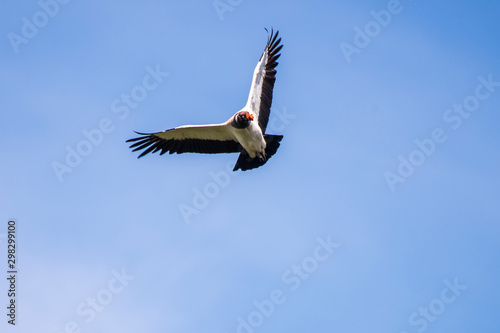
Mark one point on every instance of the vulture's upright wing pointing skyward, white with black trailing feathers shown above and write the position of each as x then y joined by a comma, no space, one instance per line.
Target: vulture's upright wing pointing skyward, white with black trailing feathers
264,76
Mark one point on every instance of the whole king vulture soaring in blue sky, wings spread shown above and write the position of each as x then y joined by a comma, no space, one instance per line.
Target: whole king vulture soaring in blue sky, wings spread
243,133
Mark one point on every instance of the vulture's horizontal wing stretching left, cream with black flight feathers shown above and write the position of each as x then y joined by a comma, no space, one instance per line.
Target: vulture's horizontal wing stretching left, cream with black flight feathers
204,139
